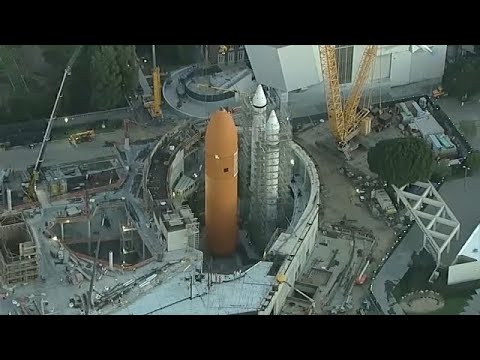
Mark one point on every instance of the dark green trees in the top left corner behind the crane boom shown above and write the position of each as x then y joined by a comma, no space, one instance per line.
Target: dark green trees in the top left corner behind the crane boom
101,78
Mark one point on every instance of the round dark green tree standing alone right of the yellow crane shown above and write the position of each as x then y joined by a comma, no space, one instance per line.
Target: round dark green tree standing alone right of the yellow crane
401,161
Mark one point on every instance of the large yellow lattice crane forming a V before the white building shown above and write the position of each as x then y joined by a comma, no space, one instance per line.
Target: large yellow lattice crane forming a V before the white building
344,118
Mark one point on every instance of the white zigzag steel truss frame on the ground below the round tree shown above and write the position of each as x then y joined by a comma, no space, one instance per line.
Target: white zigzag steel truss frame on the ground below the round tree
437,222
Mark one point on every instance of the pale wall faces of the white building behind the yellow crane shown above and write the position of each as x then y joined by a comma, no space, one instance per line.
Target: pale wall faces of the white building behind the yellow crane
298,66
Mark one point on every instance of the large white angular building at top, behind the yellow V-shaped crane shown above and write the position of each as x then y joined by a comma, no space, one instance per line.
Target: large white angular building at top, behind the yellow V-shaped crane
288,68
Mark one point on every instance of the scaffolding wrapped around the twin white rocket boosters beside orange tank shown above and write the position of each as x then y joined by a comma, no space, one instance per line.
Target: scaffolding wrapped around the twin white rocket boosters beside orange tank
264,169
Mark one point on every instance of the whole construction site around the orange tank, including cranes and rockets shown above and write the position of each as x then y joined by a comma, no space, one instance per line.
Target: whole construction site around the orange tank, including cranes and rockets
244,212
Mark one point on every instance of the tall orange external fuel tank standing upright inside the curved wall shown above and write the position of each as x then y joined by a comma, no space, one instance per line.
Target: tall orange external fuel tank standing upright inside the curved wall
221,179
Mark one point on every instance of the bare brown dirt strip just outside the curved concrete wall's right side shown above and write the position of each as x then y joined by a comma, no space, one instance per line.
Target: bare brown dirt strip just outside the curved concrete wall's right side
340,200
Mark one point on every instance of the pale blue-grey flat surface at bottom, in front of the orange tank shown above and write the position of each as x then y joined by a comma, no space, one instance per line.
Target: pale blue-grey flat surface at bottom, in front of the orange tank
174,296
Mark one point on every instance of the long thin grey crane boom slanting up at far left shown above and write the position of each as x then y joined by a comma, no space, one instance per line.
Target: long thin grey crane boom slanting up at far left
32,185
